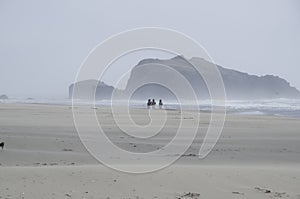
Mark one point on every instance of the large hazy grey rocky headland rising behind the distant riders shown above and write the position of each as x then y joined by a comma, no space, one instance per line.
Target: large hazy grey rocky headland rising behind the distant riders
238,85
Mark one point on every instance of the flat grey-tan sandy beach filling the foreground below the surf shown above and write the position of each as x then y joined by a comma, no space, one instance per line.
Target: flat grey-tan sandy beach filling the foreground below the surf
256,157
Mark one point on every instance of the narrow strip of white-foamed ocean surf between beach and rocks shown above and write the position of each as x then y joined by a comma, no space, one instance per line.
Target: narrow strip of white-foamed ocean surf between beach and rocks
278,107
